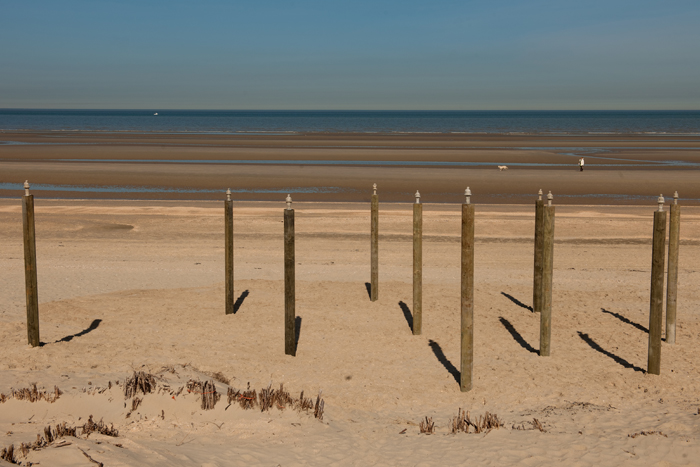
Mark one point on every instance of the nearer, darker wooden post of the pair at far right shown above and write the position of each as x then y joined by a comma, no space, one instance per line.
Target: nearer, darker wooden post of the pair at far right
656,298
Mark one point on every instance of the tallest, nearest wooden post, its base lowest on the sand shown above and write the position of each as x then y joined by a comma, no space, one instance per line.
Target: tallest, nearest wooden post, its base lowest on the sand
467,301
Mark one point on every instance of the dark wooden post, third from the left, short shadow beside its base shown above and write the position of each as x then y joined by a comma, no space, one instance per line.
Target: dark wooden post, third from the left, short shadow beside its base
289,283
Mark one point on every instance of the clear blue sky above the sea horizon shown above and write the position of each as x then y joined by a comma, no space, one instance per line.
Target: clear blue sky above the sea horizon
325,54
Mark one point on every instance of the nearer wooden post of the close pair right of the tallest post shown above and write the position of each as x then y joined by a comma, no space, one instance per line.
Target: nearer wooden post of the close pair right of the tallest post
547,273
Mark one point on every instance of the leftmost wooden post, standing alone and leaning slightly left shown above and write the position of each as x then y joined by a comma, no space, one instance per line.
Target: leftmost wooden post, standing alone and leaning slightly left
30,267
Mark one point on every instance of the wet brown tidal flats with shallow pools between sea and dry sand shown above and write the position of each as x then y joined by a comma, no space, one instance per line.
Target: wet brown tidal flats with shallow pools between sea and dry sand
620,169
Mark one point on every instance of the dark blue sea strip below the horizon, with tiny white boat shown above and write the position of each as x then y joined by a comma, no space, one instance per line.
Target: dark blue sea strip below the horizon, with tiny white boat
214,121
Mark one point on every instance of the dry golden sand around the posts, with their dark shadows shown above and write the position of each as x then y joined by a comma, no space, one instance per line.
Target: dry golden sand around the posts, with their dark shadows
128,286
